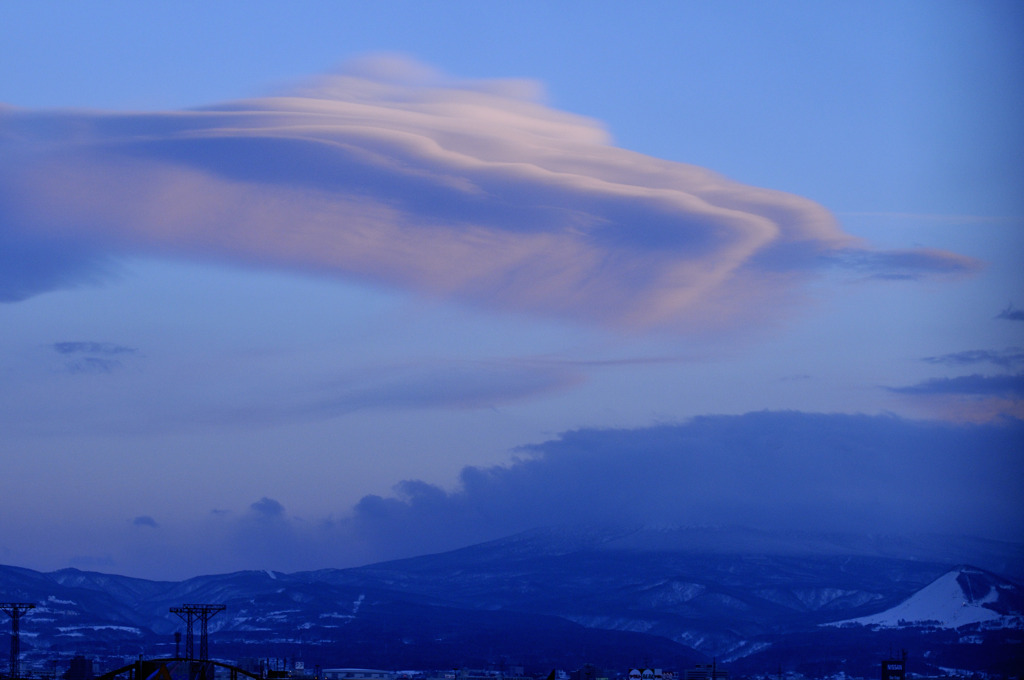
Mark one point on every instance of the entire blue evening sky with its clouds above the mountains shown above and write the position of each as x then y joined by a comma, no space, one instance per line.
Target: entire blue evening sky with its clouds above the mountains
320,285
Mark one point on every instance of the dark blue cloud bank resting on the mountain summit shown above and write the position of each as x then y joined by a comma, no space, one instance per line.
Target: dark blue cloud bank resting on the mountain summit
786,472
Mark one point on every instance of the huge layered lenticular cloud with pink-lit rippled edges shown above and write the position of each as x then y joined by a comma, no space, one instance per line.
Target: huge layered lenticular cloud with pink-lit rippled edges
391,174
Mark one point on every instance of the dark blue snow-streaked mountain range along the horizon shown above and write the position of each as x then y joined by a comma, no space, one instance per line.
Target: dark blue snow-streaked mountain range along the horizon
757,603
